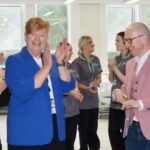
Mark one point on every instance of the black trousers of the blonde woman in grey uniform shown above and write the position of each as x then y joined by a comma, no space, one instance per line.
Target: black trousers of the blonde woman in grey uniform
88,124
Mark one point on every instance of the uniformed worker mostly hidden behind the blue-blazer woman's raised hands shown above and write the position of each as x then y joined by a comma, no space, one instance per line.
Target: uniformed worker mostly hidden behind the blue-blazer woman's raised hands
71,106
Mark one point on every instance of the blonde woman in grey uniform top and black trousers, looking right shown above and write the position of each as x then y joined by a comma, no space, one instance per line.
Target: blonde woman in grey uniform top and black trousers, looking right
88,69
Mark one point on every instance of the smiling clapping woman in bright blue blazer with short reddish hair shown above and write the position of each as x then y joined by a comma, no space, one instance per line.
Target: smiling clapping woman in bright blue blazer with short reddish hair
36,112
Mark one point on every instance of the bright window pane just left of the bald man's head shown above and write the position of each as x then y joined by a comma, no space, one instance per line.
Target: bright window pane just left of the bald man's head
118,18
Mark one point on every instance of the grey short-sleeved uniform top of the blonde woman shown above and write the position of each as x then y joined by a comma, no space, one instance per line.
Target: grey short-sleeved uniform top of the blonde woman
85,74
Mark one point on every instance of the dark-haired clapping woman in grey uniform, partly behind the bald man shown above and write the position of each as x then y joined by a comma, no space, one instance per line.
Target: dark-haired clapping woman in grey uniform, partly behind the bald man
117,77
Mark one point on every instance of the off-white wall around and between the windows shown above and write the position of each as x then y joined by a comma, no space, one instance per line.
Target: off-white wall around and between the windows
86,17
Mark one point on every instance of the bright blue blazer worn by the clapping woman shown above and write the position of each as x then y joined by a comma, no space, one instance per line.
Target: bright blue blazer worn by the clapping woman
29,120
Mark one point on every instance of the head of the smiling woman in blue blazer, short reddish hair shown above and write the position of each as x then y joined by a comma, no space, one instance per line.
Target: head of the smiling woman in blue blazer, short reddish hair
36,34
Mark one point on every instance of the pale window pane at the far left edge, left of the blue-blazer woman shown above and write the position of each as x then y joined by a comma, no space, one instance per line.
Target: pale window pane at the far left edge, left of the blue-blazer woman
10,28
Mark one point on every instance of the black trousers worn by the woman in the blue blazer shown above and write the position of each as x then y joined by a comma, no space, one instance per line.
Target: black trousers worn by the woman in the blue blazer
54,145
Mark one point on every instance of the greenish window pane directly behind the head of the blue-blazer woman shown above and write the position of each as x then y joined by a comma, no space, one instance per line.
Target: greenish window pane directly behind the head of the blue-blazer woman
57,17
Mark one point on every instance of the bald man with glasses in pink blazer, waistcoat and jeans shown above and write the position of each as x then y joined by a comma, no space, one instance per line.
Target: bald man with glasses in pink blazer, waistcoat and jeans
135,92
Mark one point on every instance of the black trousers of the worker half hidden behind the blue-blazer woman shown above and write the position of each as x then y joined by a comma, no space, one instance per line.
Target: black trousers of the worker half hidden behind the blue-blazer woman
71,130
